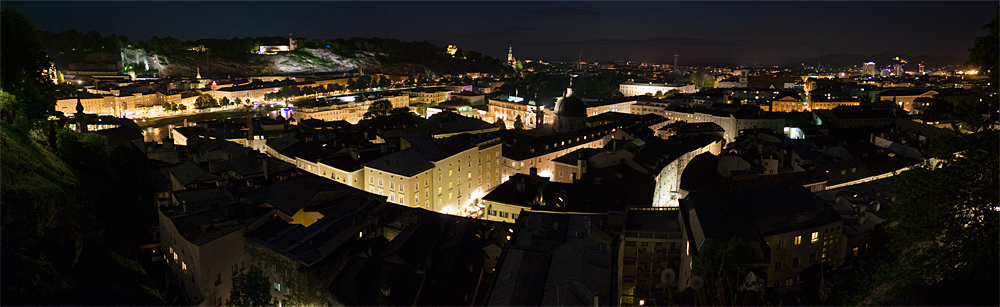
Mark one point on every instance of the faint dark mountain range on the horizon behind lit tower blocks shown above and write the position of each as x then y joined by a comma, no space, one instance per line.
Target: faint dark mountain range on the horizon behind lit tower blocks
881,60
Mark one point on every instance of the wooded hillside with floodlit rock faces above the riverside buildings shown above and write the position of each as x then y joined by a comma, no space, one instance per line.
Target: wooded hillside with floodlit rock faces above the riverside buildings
236,57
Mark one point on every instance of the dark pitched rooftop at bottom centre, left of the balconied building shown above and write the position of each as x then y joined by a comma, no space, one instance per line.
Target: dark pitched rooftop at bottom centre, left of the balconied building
557,259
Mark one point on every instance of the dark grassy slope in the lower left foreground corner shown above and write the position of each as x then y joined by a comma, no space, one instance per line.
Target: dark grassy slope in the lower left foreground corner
50,255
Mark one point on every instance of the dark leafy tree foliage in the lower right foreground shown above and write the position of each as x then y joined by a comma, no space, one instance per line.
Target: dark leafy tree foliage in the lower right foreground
948,215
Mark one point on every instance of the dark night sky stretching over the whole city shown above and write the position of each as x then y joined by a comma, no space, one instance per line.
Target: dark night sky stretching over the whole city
700,32
